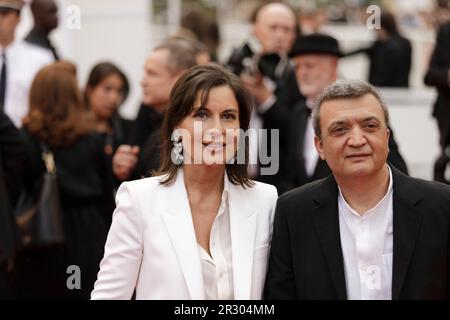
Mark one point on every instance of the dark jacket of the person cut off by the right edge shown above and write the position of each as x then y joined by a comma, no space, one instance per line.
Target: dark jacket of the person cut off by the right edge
437,76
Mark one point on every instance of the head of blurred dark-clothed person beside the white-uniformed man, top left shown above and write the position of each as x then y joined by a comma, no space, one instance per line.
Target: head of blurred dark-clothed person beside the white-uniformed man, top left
45,14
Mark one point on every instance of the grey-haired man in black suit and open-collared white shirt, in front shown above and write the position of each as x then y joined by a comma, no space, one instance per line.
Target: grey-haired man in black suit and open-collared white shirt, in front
367,231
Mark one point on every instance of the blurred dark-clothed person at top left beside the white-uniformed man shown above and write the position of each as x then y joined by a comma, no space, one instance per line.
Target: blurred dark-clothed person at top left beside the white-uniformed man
45,15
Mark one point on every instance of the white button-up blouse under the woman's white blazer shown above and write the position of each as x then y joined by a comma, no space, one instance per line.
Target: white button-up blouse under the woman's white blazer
217,269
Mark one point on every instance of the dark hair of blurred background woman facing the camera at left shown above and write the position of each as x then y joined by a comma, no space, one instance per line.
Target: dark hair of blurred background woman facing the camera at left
99,73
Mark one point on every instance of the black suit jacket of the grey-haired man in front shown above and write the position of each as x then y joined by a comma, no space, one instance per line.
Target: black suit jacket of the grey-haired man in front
306,260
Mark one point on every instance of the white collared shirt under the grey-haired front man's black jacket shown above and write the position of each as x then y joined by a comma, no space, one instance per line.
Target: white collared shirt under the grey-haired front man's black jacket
367,246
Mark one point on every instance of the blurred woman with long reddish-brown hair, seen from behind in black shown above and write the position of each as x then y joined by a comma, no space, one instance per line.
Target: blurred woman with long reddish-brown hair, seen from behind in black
57,119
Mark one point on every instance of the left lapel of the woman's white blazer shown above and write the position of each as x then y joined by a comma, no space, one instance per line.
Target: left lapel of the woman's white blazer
178,219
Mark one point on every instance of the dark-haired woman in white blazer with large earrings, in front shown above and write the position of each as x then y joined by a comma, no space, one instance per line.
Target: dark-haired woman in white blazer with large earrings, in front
200,228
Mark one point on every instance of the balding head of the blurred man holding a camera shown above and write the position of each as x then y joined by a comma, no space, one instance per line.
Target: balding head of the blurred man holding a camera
275,26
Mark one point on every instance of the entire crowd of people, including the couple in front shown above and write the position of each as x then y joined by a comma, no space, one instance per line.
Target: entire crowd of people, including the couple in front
204,230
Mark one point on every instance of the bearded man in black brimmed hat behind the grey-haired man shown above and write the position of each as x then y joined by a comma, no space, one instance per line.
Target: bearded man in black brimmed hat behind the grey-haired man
316,59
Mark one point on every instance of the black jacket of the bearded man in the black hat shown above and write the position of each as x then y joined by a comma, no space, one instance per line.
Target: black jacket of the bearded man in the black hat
296,172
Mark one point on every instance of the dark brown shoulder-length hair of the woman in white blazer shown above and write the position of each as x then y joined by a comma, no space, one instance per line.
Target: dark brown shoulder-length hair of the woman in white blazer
200,80
